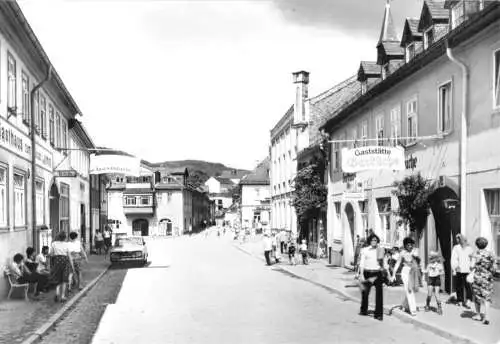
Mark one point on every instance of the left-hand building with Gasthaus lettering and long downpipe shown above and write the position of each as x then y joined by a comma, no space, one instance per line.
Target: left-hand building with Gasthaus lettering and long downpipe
30,88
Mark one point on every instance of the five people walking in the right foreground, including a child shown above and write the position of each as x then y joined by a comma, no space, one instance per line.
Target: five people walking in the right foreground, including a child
473,270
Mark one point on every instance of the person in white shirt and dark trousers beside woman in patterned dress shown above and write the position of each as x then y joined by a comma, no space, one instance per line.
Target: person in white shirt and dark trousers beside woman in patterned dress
461,260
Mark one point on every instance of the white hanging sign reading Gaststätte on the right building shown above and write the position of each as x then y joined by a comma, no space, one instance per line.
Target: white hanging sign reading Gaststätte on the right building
373,158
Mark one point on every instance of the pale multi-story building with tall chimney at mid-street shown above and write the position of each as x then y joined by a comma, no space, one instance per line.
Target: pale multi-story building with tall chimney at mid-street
288,137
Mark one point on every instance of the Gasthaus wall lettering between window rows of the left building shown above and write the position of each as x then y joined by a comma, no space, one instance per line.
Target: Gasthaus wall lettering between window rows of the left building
14,140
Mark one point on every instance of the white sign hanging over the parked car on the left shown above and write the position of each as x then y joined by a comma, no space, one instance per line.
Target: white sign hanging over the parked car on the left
115,164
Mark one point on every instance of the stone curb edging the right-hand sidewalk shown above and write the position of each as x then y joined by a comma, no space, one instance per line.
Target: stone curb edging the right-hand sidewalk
403,316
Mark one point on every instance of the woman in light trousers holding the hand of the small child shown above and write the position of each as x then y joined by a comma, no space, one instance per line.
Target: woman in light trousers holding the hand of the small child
410,274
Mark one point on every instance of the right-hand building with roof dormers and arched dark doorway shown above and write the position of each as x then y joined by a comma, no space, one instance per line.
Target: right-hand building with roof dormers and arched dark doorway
436,92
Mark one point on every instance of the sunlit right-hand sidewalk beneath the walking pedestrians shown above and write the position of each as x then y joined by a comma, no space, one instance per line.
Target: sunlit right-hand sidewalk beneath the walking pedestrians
456,323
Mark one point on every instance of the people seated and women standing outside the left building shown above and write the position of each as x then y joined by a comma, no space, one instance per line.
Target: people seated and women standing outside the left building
58,265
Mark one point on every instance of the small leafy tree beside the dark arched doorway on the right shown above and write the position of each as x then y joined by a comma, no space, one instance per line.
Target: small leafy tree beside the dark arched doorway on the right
413,196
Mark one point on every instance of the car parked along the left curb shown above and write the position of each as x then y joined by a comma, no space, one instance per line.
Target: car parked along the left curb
129,249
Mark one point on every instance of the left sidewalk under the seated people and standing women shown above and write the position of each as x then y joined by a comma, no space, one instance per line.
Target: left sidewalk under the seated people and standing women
19,319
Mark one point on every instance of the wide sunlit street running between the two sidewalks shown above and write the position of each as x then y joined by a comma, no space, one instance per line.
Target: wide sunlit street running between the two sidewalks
204,290
